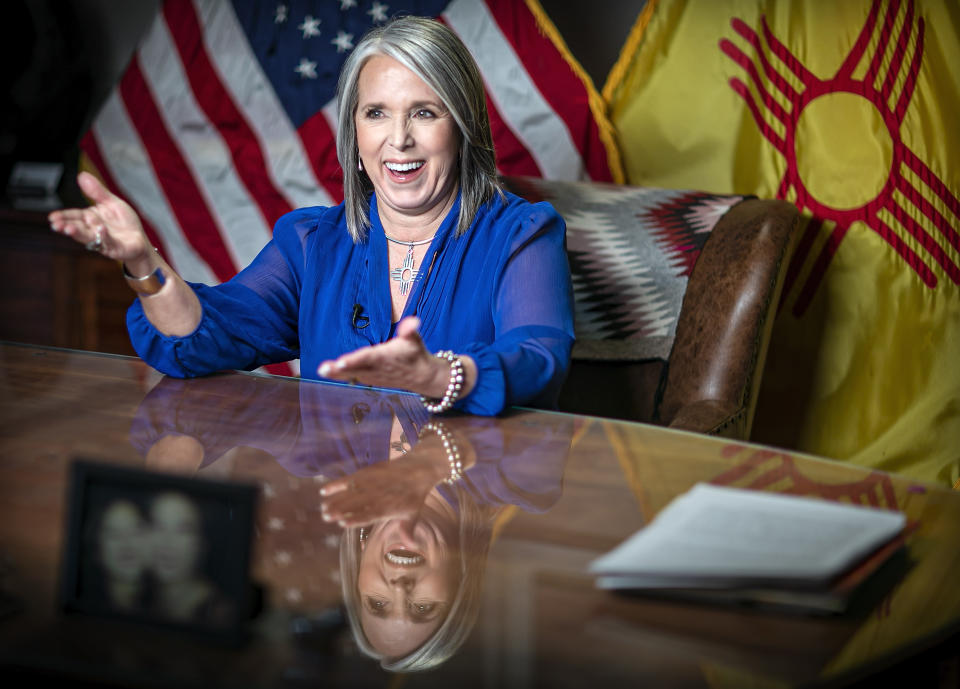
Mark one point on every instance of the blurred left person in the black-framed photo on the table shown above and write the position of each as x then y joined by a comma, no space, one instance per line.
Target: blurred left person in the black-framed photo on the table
117,571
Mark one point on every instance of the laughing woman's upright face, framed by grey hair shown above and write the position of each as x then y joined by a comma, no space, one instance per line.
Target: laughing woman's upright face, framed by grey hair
408,144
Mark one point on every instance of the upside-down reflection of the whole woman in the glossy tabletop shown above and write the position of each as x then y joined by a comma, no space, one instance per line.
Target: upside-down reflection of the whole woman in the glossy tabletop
386,466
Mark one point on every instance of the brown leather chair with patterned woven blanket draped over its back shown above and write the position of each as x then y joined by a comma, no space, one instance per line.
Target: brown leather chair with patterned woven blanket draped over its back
705,375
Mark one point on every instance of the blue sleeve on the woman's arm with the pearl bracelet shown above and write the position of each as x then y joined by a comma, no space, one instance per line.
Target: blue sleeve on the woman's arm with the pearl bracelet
527,362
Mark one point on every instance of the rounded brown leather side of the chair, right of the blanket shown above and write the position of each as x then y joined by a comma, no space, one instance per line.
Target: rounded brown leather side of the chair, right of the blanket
725,321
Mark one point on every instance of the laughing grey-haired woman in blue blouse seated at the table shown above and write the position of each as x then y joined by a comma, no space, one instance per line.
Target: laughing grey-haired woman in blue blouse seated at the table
425,253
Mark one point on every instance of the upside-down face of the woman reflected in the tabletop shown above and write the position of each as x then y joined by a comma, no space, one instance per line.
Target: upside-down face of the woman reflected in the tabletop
407,580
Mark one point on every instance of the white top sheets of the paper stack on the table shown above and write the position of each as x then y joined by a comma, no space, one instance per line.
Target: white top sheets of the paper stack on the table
720,532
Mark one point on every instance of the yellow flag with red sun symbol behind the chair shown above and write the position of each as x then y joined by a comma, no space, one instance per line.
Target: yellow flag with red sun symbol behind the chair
850,111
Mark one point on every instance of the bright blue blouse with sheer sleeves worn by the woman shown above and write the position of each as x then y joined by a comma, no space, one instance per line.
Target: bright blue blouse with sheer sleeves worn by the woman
500,293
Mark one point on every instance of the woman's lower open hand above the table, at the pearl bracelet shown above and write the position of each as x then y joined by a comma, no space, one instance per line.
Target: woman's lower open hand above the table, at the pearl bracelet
402,363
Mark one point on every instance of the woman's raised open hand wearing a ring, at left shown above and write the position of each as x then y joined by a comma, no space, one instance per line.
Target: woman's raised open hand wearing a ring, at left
111,218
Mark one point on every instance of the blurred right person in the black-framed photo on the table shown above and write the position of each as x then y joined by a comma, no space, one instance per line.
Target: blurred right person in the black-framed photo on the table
184,592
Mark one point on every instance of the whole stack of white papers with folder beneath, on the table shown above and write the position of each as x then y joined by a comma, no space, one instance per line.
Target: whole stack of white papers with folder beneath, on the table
721,543
